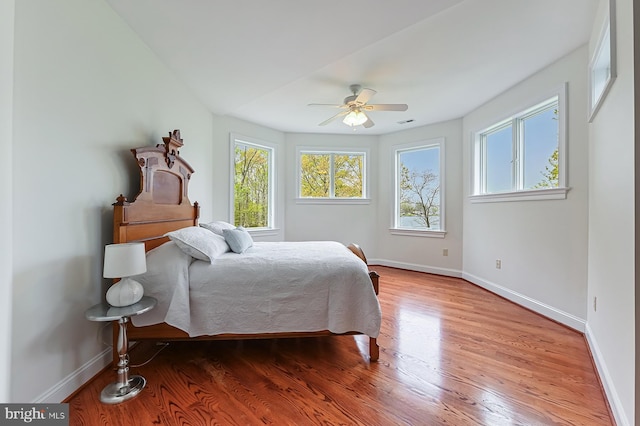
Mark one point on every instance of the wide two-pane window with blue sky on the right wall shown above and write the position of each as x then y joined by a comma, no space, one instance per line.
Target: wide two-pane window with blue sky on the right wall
522,156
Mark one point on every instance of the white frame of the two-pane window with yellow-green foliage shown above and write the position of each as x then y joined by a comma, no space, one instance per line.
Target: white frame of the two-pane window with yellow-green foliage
300,150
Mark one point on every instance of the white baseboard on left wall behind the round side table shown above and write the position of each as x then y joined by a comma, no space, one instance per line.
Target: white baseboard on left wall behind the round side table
75,380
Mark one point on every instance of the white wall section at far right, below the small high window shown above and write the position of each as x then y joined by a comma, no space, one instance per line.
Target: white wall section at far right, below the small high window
611,227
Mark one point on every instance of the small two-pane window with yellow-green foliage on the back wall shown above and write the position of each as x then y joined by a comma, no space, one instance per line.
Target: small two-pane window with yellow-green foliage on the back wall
331,175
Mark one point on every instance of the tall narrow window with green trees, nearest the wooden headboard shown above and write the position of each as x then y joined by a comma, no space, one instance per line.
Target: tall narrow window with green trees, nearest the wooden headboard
253,177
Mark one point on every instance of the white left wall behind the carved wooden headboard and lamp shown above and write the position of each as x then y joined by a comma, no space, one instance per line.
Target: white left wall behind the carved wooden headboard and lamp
86,91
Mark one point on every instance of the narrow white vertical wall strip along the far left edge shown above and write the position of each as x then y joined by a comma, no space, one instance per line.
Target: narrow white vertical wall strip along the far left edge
7,9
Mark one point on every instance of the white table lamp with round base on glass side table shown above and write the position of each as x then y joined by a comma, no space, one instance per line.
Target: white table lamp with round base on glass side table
124,261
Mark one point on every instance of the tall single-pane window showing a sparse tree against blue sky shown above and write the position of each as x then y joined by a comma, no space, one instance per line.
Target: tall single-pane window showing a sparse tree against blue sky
419,206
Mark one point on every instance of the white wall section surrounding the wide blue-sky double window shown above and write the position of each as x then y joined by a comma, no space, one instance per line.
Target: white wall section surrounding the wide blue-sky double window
542,244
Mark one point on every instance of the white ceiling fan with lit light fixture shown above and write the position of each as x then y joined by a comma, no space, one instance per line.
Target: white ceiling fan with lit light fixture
354,107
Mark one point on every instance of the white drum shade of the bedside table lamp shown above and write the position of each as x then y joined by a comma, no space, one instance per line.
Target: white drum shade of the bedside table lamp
124,260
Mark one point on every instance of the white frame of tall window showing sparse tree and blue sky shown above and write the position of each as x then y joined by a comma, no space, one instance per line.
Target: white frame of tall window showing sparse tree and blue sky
395,205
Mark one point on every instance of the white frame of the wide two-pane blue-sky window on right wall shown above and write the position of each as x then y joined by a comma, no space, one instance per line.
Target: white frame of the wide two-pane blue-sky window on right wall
517,193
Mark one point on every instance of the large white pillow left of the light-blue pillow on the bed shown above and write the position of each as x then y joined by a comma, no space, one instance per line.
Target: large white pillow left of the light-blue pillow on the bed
199,243
